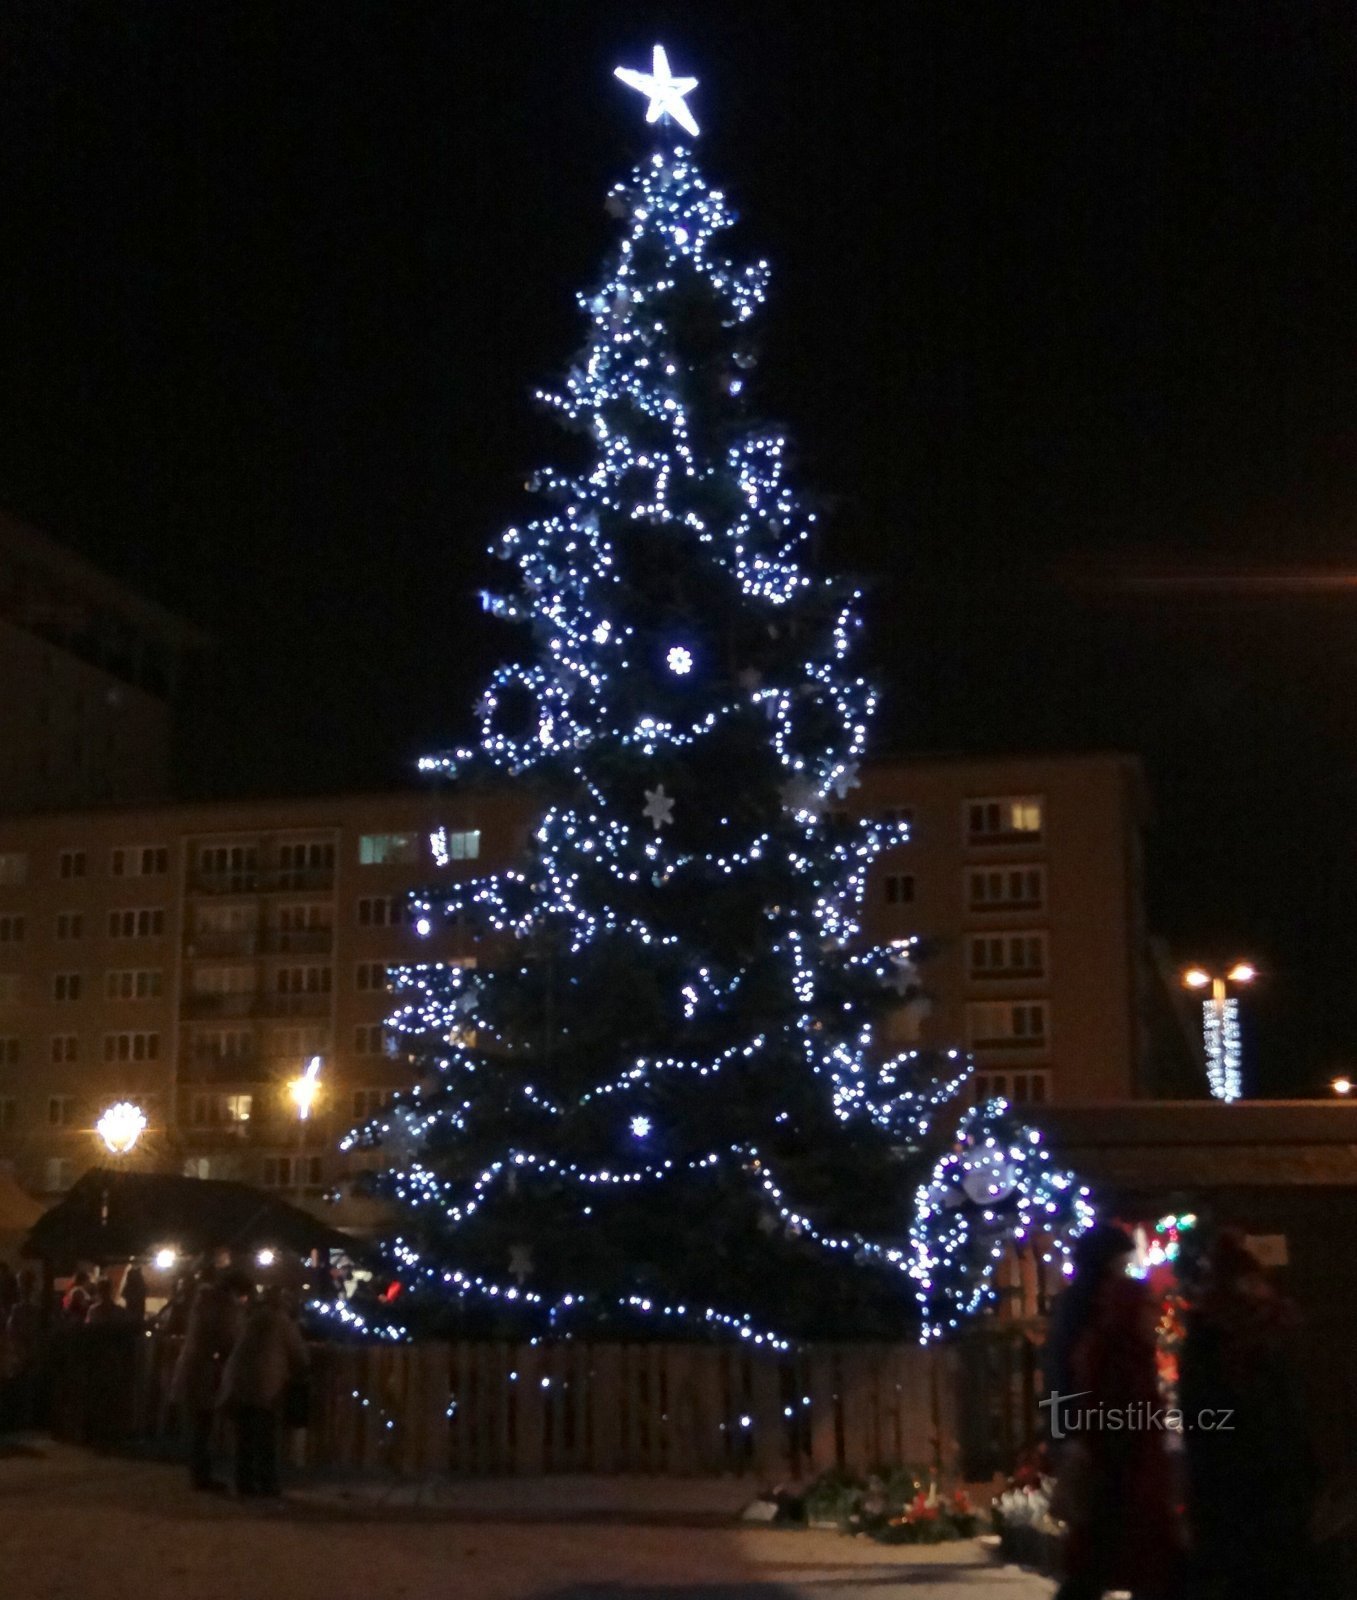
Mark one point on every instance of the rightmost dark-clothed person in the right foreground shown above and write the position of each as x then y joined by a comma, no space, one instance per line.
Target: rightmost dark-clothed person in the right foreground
1251,1471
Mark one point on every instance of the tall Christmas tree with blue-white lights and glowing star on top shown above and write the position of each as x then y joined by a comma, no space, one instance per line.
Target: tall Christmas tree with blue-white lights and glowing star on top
660,1097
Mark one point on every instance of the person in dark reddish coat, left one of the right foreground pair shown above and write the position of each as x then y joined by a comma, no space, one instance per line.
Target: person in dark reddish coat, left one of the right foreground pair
1115,1482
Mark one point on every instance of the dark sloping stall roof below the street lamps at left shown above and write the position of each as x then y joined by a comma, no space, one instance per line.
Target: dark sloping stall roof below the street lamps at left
119,1217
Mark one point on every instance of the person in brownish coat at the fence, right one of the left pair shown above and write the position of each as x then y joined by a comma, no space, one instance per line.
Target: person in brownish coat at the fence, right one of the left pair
266,1359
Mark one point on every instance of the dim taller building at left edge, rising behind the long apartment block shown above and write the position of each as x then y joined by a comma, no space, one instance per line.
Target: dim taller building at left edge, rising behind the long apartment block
89,673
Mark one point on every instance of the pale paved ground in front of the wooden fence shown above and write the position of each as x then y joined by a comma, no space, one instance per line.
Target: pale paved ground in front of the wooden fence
81,1527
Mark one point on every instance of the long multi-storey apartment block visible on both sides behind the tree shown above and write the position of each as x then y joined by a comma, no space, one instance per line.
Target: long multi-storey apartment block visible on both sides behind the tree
193,959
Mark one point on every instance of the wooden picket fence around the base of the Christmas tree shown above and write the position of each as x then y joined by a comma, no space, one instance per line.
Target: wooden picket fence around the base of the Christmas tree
479,1410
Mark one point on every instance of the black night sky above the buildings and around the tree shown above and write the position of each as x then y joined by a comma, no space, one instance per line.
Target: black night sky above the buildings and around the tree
1059,289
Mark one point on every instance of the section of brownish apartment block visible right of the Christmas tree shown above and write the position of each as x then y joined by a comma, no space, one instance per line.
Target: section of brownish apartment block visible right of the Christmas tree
1023,882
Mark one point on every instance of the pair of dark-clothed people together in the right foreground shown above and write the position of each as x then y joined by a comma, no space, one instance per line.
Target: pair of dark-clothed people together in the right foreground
1211,1495
